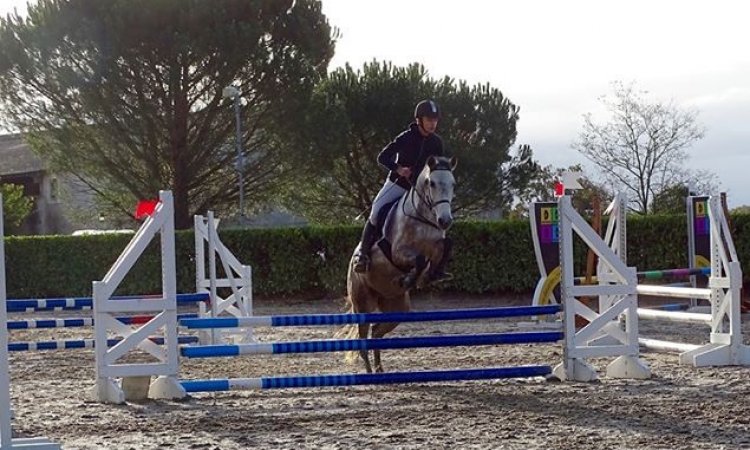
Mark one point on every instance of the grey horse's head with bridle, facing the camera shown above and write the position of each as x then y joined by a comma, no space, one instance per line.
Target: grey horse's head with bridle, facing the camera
435,186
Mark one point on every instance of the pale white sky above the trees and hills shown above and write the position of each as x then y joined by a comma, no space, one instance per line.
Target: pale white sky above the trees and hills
555,58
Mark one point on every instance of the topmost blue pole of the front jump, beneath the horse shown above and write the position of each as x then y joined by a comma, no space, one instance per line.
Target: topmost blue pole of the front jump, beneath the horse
362,318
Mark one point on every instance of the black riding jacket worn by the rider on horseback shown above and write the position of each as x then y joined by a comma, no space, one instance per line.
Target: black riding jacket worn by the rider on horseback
409,149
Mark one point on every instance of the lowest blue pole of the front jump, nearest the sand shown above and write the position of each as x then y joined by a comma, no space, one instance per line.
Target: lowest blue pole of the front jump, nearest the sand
228,384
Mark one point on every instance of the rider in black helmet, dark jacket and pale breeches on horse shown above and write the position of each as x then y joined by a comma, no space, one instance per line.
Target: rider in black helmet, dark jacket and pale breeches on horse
405,158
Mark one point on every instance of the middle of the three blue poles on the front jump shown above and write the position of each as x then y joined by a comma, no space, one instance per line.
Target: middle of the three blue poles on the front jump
342,345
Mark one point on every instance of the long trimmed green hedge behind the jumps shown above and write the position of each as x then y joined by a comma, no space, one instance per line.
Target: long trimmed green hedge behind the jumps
490,257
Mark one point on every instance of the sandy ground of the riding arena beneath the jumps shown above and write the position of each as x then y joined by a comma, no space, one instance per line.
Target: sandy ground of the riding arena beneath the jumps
681,407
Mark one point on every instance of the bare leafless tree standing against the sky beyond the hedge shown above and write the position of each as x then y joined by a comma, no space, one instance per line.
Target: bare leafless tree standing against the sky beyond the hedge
642,149
